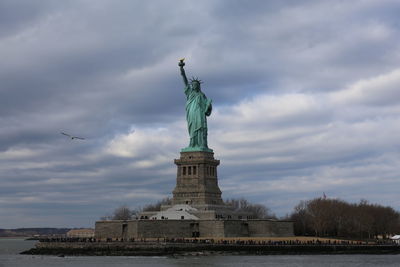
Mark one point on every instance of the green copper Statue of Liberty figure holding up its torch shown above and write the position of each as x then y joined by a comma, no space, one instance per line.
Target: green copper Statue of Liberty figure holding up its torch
198,106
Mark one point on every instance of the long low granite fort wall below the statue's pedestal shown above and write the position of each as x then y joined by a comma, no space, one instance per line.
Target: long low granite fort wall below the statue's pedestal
192,228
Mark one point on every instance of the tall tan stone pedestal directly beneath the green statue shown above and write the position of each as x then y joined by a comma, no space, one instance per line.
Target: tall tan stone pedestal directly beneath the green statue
197,180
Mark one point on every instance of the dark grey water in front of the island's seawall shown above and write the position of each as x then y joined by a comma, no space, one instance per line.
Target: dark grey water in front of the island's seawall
9,257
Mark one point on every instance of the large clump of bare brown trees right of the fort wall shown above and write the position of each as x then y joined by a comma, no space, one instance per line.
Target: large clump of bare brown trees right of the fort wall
337,218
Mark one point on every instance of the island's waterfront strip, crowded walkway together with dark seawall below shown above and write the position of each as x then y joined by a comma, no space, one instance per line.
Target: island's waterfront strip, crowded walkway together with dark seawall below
91,246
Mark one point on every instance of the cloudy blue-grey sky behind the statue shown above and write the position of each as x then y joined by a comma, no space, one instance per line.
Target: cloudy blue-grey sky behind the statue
306,100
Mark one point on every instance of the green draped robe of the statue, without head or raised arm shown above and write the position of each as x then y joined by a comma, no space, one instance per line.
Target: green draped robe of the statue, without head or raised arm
197,108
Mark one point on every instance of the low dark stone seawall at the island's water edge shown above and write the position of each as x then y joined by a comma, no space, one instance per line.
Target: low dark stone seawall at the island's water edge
165,249
